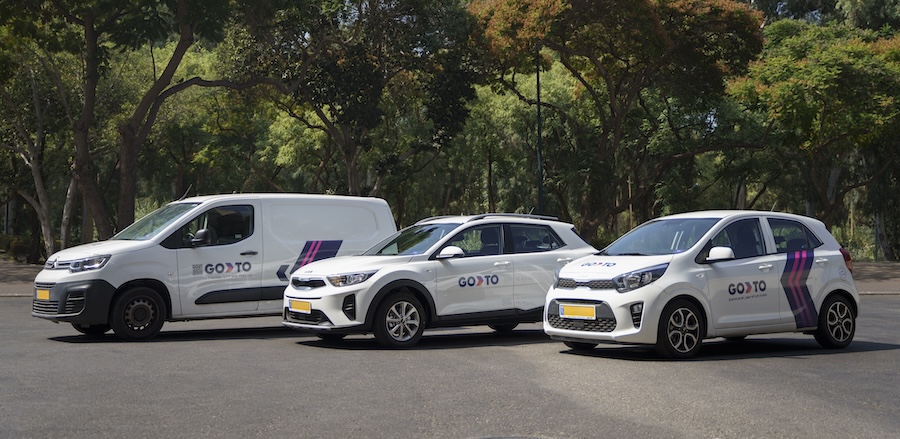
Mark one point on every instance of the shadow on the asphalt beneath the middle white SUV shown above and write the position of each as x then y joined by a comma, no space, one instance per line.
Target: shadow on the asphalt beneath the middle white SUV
431,340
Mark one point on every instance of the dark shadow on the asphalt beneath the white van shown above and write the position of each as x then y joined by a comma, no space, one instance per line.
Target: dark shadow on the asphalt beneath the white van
190,335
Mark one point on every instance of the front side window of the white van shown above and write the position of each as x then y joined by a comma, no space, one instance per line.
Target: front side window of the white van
228,224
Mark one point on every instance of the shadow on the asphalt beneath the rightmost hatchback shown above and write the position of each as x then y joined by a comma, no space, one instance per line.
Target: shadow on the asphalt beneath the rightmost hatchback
719,350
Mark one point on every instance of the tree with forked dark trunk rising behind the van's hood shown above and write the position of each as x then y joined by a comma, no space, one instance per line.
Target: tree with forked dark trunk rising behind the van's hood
92,30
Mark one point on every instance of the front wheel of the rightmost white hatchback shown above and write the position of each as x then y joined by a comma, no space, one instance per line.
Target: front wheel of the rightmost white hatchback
680,331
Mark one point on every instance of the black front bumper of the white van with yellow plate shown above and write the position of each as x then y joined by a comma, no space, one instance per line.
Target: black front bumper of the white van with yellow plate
86,302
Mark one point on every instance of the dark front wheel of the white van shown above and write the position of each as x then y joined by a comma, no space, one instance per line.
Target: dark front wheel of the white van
138,314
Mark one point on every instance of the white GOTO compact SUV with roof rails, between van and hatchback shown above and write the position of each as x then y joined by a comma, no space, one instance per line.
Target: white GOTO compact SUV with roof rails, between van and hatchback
492,269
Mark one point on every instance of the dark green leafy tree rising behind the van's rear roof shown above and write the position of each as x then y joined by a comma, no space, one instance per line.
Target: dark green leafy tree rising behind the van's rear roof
338,59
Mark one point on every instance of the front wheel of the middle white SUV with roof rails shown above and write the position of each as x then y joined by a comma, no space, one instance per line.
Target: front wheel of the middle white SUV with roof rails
399,321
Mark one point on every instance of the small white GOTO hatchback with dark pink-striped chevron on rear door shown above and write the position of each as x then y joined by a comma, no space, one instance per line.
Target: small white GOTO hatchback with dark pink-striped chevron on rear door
677,280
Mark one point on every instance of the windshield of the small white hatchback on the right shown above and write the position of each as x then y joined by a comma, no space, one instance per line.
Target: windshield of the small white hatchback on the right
661,237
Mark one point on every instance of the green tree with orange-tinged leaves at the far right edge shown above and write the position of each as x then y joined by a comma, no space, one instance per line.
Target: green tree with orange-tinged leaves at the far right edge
828,91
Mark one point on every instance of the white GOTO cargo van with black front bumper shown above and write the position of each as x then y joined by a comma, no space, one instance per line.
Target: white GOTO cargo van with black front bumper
203,257
